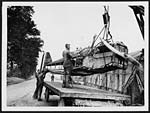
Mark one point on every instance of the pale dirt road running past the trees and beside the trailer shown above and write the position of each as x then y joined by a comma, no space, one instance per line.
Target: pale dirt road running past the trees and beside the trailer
21,94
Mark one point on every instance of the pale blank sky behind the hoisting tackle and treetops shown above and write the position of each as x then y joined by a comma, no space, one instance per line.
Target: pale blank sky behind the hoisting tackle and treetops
77,23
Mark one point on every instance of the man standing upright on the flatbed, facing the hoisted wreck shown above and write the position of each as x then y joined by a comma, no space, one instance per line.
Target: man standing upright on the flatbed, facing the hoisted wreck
68,65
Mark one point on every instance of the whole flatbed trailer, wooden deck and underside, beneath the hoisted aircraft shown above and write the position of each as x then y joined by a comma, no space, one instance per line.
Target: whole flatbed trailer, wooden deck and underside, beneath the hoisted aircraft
81,95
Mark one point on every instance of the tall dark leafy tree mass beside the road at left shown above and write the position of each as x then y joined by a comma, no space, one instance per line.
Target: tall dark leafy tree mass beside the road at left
24,42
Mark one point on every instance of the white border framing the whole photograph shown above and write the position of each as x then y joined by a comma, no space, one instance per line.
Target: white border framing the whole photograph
4,64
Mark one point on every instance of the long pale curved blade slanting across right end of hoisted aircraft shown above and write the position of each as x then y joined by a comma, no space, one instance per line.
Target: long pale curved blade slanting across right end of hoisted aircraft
123,55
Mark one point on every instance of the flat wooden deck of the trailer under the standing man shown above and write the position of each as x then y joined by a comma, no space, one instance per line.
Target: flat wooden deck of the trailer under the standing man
85,92
